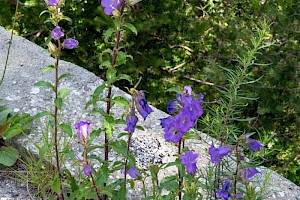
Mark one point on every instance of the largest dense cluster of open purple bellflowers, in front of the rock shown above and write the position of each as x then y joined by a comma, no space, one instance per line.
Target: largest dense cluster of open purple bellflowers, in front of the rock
188,109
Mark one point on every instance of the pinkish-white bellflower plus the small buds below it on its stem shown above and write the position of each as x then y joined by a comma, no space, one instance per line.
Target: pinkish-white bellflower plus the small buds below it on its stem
83,128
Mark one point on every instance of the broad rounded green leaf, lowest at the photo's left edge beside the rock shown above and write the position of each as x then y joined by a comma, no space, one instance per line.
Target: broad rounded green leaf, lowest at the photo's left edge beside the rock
8,156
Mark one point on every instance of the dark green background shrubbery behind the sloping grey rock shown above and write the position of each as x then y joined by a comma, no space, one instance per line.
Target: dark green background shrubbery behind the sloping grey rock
185,42
